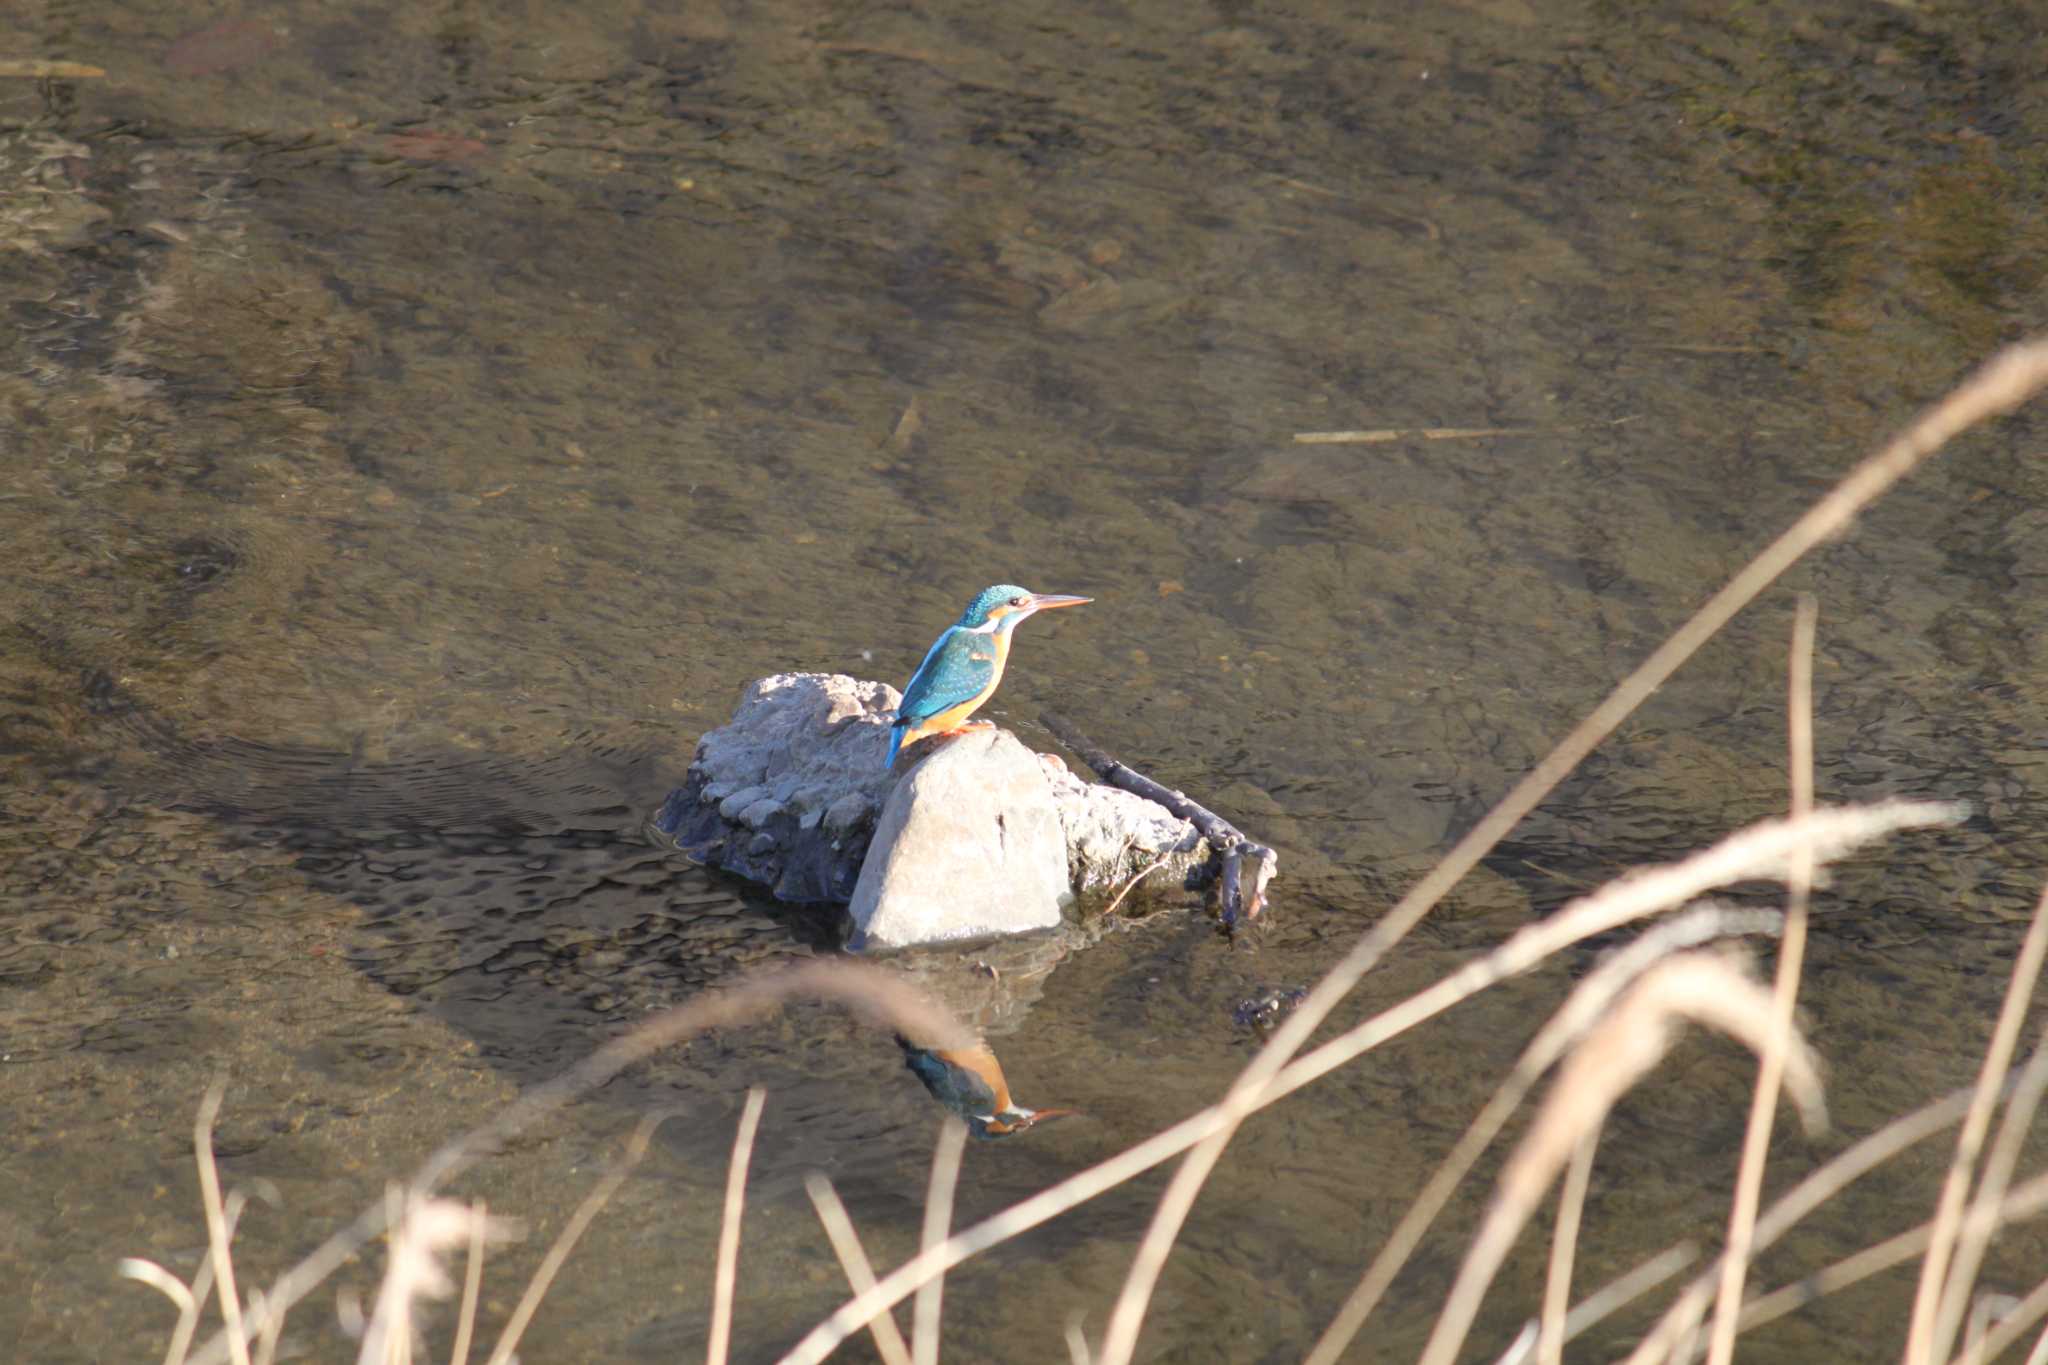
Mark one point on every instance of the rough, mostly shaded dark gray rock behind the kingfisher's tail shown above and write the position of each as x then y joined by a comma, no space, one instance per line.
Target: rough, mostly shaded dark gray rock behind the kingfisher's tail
790,791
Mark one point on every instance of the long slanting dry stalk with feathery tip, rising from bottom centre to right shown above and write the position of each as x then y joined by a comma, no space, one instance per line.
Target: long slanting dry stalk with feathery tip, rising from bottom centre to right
1758,852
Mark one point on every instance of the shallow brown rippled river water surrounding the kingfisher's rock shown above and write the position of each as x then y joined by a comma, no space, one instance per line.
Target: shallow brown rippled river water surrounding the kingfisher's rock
421,421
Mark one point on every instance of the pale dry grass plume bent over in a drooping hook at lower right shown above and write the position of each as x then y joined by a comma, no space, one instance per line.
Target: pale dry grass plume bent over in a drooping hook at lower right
1629,1043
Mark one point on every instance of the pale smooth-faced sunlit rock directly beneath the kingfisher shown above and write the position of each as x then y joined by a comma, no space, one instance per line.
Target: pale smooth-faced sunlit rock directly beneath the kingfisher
970,846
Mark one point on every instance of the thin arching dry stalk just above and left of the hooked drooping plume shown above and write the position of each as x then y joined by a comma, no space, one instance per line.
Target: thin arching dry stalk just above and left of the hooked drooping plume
1580,1012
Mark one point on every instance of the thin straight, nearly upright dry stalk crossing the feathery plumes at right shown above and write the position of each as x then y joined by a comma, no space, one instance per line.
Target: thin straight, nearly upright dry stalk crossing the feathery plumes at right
1791,959
